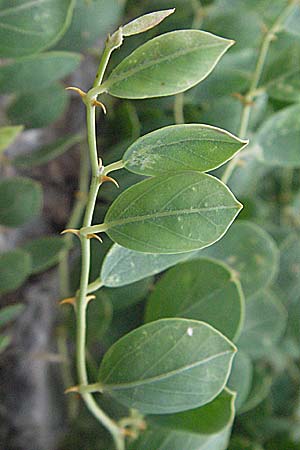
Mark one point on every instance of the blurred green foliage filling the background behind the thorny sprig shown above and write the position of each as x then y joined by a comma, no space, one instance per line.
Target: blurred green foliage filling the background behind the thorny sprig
46,46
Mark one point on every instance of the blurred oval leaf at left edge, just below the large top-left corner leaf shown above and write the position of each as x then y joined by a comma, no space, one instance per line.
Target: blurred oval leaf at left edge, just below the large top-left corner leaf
34,73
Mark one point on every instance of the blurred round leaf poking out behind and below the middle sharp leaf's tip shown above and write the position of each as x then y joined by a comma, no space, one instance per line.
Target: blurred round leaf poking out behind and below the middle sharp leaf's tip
250,252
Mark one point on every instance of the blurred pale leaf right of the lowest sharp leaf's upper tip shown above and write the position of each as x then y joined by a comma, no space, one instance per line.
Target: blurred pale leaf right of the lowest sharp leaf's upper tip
265,323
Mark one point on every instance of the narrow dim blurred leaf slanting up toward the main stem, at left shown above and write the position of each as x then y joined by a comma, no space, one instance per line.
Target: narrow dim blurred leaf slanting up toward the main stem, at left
47,153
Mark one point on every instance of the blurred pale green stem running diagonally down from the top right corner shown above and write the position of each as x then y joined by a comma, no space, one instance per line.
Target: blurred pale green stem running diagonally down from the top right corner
250,96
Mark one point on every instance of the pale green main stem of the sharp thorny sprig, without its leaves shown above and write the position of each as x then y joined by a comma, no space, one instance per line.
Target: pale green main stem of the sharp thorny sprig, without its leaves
81,301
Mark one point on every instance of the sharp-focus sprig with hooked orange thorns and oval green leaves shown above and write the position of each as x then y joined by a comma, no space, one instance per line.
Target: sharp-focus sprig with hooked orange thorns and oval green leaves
169,365
